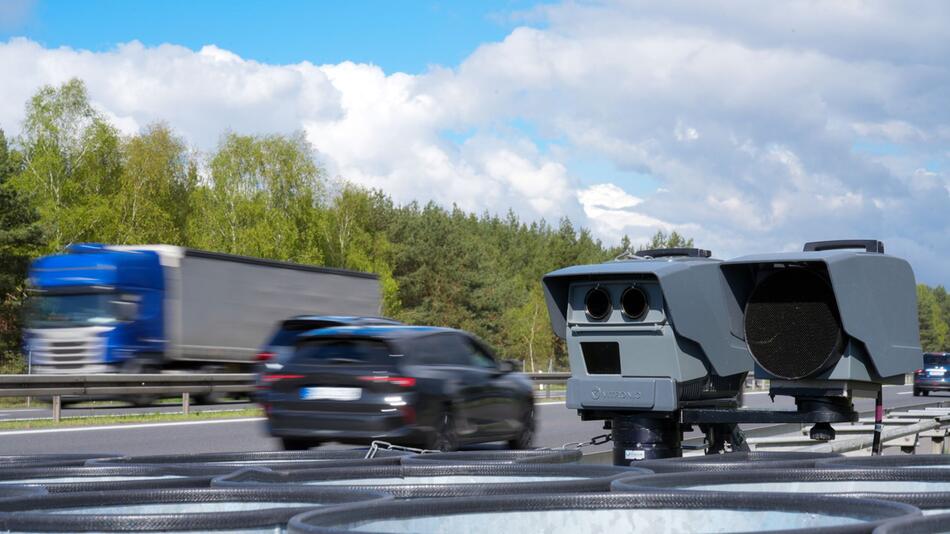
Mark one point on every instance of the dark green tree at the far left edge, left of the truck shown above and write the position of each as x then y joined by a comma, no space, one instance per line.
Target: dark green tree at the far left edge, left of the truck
20,239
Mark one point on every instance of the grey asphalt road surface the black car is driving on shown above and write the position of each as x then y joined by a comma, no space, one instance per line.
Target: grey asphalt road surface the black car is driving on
557,425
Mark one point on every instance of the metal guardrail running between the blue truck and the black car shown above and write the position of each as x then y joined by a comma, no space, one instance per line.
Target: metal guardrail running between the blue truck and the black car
57,386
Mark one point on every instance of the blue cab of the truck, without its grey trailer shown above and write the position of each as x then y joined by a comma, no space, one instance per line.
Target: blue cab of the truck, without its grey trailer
95,310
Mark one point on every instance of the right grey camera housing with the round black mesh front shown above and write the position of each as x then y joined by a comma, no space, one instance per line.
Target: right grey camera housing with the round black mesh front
840,315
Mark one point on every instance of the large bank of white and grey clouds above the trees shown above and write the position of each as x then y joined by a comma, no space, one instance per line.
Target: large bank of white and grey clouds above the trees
746,116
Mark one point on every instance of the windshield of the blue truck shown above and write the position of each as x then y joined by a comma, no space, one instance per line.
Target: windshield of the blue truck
77,309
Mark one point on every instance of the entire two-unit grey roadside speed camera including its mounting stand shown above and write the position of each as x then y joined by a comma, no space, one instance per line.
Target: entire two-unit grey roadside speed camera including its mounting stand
666,338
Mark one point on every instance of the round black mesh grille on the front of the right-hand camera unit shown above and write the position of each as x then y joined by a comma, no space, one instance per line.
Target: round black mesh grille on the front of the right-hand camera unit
792,324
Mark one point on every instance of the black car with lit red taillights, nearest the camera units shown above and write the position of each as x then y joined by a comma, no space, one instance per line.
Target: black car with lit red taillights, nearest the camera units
434,388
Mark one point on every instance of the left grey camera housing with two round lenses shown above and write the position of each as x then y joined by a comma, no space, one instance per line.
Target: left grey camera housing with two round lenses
647,333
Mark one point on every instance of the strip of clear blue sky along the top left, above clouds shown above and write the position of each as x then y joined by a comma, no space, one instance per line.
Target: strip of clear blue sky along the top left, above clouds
403,36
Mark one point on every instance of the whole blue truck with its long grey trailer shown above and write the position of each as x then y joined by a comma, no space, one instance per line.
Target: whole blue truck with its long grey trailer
147,308
